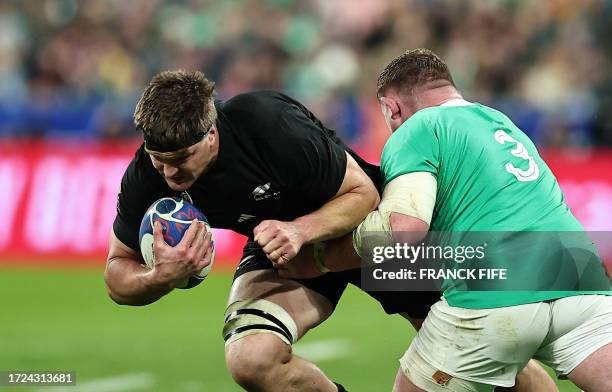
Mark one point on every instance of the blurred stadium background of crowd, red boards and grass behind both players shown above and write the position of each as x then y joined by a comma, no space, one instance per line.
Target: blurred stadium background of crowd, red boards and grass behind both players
71,72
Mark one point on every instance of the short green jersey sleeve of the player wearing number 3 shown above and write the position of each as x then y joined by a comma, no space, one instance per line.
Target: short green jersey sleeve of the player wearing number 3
414,147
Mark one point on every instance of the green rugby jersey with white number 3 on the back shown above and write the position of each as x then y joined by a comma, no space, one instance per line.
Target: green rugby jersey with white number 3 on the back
490,178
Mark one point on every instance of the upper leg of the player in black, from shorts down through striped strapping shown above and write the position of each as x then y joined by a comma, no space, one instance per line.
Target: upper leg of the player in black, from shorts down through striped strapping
261,302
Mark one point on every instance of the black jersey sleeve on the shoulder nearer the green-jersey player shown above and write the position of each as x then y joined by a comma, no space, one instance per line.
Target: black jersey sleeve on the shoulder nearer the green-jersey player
302,156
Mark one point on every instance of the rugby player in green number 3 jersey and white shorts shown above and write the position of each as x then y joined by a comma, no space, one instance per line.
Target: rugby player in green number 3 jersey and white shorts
455,166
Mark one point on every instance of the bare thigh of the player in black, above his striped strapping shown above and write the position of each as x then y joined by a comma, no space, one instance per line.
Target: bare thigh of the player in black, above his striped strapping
306,307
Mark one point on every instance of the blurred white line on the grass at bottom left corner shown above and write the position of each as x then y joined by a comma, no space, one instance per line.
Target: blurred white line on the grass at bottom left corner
126,382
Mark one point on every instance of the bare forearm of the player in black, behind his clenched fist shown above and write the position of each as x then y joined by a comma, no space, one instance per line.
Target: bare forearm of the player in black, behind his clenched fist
339,216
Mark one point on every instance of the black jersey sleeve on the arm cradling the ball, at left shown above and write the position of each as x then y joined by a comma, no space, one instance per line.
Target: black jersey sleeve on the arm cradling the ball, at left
139,189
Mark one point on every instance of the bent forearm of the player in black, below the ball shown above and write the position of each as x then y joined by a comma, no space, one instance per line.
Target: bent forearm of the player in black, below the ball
129,283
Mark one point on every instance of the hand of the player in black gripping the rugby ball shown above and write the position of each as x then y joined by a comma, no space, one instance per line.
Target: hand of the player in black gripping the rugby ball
174,264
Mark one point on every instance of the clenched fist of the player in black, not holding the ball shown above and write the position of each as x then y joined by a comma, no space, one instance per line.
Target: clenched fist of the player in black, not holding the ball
280,241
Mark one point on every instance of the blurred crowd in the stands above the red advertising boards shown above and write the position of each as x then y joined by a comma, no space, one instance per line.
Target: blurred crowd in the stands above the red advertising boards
75,68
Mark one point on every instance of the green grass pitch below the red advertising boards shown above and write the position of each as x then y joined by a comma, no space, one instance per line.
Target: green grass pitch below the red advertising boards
63,320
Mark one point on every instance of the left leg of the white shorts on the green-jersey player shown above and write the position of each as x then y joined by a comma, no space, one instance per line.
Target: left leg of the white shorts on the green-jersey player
499,341
